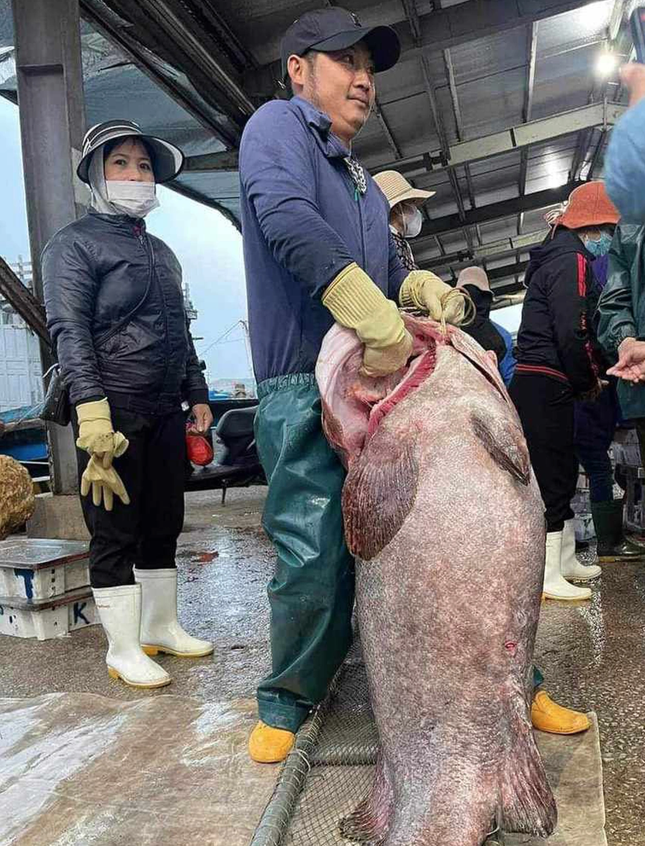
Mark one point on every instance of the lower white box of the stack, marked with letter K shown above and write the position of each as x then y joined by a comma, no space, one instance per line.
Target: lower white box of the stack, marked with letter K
48,619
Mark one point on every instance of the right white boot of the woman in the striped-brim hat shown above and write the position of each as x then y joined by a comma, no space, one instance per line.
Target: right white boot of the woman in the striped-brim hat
160,629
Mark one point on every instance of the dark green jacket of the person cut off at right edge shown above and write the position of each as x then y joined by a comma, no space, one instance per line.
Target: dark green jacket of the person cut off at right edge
621,309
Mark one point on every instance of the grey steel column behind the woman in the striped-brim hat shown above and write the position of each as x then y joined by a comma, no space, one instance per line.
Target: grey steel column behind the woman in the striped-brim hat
52,122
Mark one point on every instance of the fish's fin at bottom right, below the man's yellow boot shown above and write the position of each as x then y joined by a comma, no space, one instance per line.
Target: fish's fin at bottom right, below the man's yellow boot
528,805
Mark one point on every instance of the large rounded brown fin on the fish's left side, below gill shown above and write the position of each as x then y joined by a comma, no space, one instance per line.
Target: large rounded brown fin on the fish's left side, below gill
379,493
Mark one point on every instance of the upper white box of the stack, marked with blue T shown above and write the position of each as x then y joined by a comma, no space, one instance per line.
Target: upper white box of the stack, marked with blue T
34,569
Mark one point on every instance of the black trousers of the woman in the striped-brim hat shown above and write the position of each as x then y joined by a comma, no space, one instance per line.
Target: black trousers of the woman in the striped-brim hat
144,533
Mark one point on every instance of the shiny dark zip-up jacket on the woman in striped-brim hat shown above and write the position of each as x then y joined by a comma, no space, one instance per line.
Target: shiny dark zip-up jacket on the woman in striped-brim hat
95,271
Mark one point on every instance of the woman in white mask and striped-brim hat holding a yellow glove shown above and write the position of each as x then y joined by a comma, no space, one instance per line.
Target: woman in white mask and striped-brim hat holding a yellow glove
115,311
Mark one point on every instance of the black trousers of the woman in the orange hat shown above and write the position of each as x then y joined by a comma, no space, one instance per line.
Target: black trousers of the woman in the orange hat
545,406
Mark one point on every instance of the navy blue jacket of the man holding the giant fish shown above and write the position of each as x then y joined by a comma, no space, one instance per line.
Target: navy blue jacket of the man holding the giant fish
303,221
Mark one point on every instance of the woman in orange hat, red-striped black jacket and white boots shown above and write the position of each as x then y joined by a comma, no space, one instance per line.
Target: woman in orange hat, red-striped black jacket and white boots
557,362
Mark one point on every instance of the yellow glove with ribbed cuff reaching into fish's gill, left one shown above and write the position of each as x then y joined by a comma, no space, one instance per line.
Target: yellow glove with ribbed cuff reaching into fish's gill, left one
357,303
